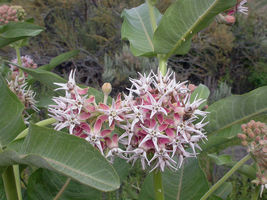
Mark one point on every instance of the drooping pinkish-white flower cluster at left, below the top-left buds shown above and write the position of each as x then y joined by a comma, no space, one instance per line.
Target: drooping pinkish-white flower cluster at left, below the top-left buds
18,85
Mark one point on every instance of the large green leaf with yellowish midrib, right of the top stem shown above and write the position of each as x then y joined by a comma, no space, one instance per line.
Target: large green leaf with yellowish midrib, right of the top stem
182,20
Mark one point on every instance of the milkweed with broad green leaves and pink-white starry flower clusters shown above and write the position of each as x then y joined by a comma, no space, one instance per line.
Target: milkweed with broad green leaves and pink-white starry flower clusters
161,124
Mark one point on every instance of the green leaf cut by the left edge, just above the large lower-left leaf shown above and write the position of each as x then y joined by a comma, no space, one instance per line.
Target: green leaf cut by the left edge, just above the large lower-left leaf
11,122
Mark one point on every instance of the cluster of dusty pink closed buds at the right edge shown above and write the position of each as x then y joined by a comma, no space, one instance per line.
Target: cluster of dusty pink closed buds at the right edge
254,137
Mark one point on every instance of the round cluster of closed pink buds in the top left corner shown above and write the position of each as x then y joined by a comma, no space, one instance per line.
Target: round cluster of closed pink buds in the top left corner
11,13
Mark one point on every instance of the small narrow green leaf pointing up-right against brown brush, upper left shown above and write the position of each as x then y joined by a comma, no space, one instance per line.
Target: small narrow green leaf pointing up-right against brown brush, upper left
59,59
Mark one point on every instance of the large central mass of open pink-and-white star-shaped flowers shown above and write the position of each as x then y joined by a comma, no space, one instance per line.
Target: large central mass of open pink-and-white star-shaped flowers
158,120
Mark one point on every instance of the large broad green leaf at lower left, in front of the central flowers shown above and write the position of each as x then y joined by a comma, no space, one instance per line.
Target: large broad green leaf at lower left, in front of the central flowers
66,154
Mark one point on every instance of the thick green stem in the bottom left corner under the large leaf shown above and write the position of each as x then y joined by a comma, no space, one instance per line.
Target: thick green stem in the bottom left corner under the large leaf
10,184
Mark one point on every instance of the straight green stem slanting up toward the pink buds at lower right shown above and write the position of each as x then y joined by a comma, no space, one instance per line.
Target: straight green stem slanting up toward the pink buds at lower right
225,177
